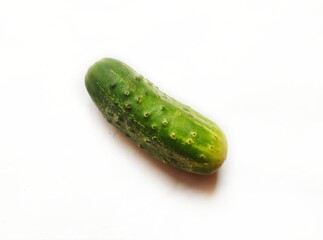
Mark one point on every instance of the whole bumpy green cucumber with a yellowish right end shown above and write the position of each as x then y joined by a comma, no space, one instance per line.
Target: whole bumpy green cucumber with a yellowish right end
167,129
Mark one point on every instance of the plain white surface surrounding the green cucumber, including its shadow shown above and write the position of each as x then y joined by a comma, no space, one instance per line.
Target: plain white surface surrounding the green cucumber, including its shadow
254,67
